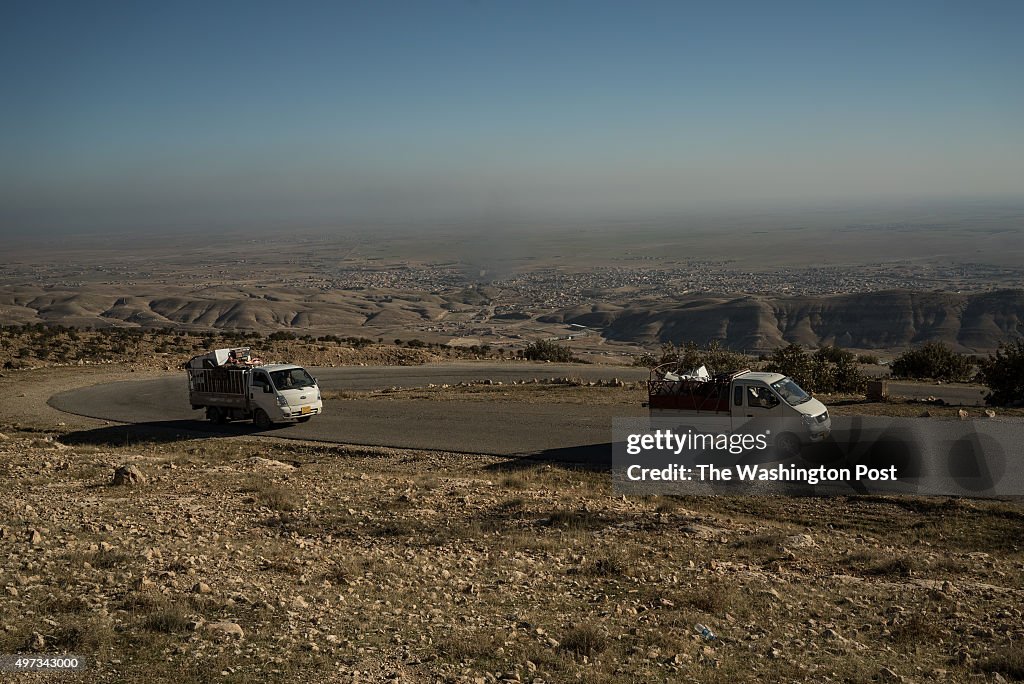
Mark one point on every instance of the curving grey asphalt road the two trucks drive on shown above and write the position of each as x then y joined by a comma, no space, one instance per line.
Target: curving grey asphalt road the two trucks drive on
482,427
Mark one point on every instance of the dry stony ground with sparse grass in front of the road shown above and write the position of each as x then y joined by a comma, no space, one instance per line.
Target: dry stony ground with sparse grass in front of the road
241,560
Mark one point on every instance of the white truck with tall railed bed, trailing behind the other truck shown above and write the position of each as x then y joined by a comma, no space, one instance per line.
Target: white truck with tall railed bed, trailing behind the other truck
232,386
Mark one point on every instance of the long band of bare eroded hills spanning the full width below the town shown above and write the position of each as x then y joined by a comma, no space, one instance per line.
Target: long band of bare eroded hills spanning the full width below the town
888,320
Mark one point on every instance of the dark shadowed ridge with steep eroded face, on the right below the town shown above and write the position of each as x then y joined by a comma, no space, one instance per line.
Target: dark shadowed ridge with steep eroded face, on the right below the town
871,321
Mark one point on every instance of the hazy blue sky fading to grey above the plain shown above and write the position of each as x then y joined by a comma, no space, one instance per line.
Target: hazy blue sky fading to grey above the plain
150,117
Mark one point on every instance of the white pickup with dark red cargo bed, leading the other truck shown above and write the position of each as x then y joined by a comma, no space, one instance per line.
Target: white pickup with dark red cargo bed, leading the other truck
742,399
